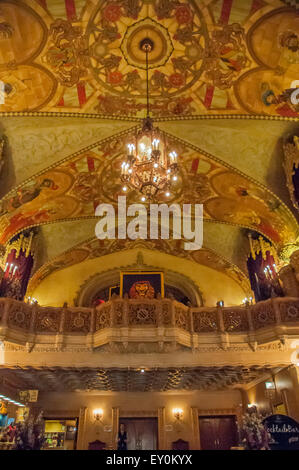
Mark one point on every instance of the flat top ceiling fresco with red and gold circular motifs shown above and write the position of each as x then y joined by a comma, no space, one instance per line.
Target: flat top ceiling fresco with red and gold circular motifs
216,57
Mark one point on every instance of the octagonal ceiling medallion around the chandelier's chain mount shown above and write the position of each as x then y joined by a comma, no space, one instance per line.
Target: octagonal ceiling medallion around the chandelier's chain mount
157,34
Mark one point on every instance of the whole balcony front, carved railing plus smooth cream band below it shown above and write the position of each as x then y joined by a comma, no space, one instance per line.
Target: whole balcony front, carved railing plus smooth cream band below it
134,333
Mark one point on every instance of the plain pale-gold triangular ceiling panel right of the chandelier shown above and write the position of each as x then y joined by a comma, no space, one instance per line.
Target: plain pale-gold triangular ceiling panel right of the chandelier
250,146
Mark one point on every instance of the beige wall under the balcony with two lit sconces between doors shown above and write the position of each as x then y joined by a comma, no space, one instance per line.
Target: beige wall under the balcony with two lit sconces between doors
139,405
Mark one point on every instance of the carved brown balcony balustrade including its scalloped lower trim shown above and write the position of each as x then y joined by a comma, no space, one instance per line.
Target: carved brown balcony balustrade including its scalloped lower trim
151,321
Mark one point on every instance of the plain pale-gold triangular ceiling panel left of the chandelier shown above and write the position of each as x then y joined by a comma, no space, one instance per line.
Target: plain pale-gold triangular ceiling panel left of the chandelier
33,144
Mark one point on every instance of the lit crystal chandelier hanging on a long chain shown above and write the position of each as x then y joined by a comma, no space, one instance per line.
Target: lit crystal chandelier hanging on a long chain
151,166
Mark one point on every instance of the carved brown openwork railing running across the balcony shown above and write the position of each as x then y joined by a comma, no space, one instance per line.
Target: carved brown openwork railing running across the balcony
21,321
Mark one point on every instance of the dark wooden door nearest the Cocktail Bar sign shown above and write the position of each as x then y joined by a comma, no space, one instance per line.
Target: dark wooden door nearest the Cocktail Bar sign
218,432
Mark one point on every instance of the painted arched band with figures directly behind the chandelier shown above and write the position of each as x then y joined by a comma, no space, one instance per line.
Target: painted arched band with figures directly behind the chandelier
73,189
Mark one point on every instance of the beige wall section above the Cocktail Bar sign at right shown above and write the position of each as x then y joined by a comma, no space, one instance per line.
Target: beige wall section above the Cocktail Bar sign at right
287,385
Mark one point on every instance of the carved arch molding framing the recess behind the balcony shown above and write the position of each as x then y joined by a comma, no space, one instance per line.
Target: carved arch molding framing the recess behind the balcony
109,278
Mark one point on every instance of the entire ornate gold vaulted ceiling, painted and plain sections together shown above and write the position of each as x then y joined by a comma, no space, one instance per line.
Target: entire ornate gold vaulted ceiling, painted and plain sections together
75,86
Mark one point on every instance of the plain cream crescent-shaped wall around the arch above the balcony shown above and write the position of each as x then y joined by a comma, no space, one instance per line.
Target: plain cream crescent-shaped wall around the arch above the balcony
64,285
